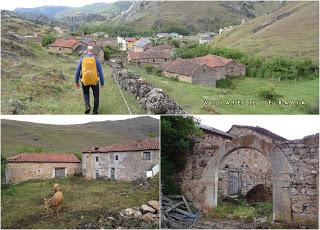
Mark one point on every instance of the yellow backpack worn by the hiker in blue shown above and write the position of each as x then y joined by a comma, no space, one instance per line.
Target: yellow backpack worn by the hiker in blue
89,71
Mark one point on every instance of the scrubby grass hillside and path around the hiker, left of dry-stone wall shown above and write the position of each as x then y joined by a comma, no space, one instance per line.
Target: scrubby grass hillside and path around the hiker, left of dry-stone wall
36,80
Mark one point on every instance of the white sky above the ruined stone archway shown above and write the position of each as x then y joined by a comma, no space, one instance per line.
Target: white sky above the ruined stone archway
288,126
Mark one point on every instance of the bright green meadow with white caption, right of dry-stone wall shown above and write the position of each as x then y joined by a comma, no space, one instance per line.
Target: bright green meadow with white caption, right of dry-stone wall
196,99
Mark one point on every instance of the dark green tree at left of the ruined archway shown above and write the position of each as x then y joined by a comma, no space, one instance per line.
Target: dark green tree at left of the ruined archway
176,142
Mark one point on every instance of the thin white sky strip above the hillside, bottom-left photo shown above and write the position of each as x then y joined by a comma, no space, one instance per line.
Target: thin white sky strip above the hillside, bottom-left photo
68,119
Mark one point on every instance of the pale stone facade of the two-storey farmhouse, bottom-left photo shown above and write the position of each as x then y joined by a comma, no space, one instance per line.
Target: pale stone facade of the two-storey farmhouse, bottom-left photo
129,166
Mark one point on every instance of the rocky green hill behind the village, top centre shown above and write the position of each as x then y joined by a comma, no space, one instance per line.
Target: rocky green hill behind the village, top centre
194,16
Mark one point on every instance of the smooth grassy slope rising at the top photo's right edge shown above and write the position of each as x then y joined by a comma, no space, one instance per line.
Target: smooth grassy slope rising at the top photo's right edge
292,30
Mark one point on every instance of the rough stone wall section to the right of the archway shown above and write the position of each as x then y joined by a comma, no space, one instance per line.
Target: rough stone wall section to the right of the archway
303,189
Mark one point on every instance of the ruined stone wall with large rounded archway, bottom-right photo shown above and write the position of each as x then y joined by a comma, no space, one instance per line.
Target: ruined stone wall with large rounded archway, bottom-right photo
294,166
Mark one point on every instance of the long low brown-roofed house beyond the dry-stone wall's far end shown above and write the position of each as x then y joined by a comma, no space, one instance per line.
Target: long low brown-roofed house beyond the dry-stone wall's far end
150,57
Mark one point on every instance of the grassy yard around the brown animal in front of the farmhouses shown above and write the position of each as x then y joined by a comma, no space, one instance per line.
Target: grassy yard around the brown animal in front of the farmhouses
85,202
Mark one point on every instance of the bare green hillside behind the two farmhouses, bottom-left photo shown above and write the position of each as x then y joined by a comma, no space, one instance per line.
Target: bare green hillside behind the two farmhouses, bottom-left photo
18,136
